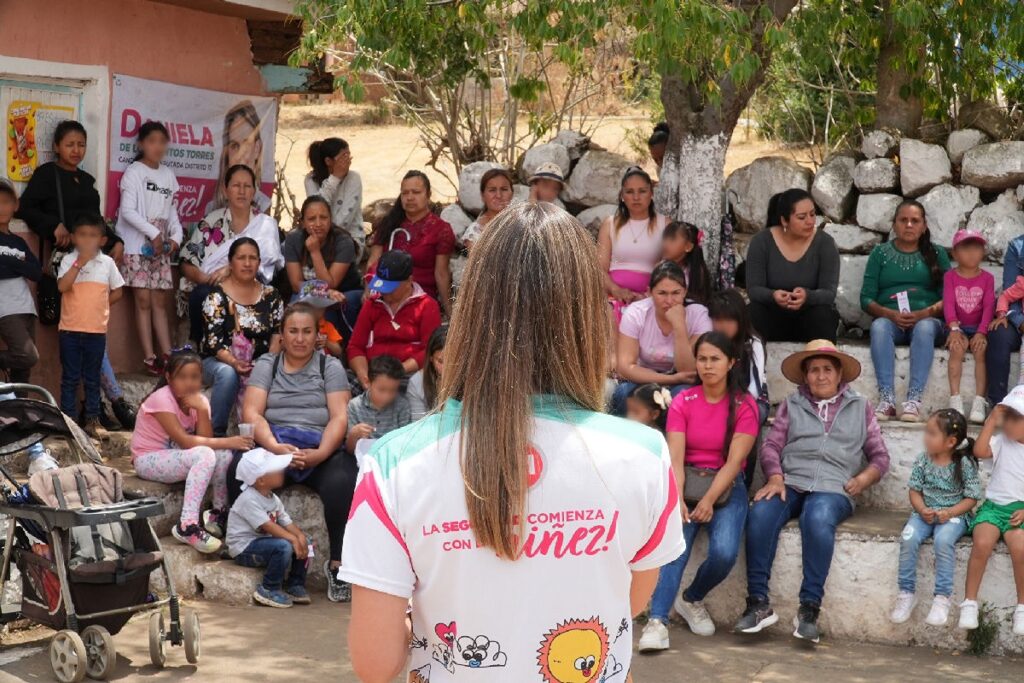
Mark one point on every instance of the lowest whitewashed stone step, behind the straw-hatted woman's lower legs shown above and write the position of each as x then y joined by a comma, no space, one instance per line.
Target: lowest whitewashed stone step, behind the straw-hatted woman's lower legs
862,587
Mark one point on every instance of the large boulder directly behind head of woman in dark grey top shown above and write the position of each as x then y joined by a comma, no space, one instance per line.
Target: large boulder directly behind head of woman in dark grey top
755,184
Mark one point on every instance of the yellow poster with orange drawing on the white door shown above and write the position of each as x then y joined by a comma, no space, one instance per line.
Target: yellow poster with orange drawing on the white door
27,122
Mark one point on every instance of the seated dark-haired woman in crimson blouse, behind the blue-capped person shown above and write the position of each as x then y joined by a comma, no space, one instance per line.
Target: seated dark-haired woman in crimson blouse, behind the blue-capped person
413,228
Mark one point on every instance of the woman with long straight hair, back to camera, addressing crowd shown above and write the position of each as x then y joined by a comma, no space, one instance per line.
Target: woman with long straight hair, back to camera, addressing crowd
489,511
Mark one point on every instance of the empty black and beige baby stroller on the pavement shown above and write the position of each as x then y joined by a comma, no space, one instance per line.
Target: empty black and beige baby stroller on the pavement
84,551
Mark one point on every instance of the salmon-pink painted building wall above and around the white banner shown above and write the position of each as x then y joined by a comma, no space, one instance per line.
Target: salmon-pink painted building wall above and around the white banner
138,38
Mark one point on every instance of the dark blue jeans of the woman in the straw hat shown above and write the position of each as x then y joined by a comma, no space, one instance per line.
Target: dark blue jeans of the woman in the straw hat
820,515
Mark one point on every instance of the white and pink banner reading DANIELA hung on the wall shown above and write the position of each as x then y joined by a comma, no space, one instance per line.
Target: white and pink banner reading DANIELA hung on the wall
210,132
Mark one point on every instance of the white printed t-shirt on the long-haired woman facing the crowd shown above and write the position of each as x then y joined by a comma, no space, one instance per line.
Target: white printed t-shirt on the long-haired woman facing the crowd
603,504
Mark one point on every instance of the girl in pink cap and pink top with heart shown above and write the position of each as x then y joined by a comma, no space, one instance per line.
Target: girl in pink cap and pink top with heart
968,303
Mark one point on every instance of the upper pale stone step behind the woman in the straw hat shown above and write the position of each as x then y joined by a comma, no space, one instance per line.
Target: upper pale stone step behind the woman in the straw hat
936,392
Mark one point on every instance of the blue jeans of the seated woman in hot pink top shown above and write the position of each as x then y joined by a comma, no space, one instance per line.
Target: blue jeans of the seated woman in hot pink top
724,533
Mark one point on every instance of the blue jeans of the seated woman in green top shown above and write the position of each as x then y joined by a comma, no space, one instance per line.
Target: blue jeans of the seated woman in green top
923,339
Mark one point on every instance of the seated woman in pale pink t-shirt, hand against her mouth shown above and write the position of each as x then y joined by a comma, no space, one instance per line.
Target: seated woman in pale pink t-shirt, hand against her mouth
657,337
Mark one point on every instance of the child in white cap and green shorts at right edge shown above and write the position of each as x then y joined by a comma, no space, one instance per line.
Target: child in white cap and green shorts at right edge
1002,516
